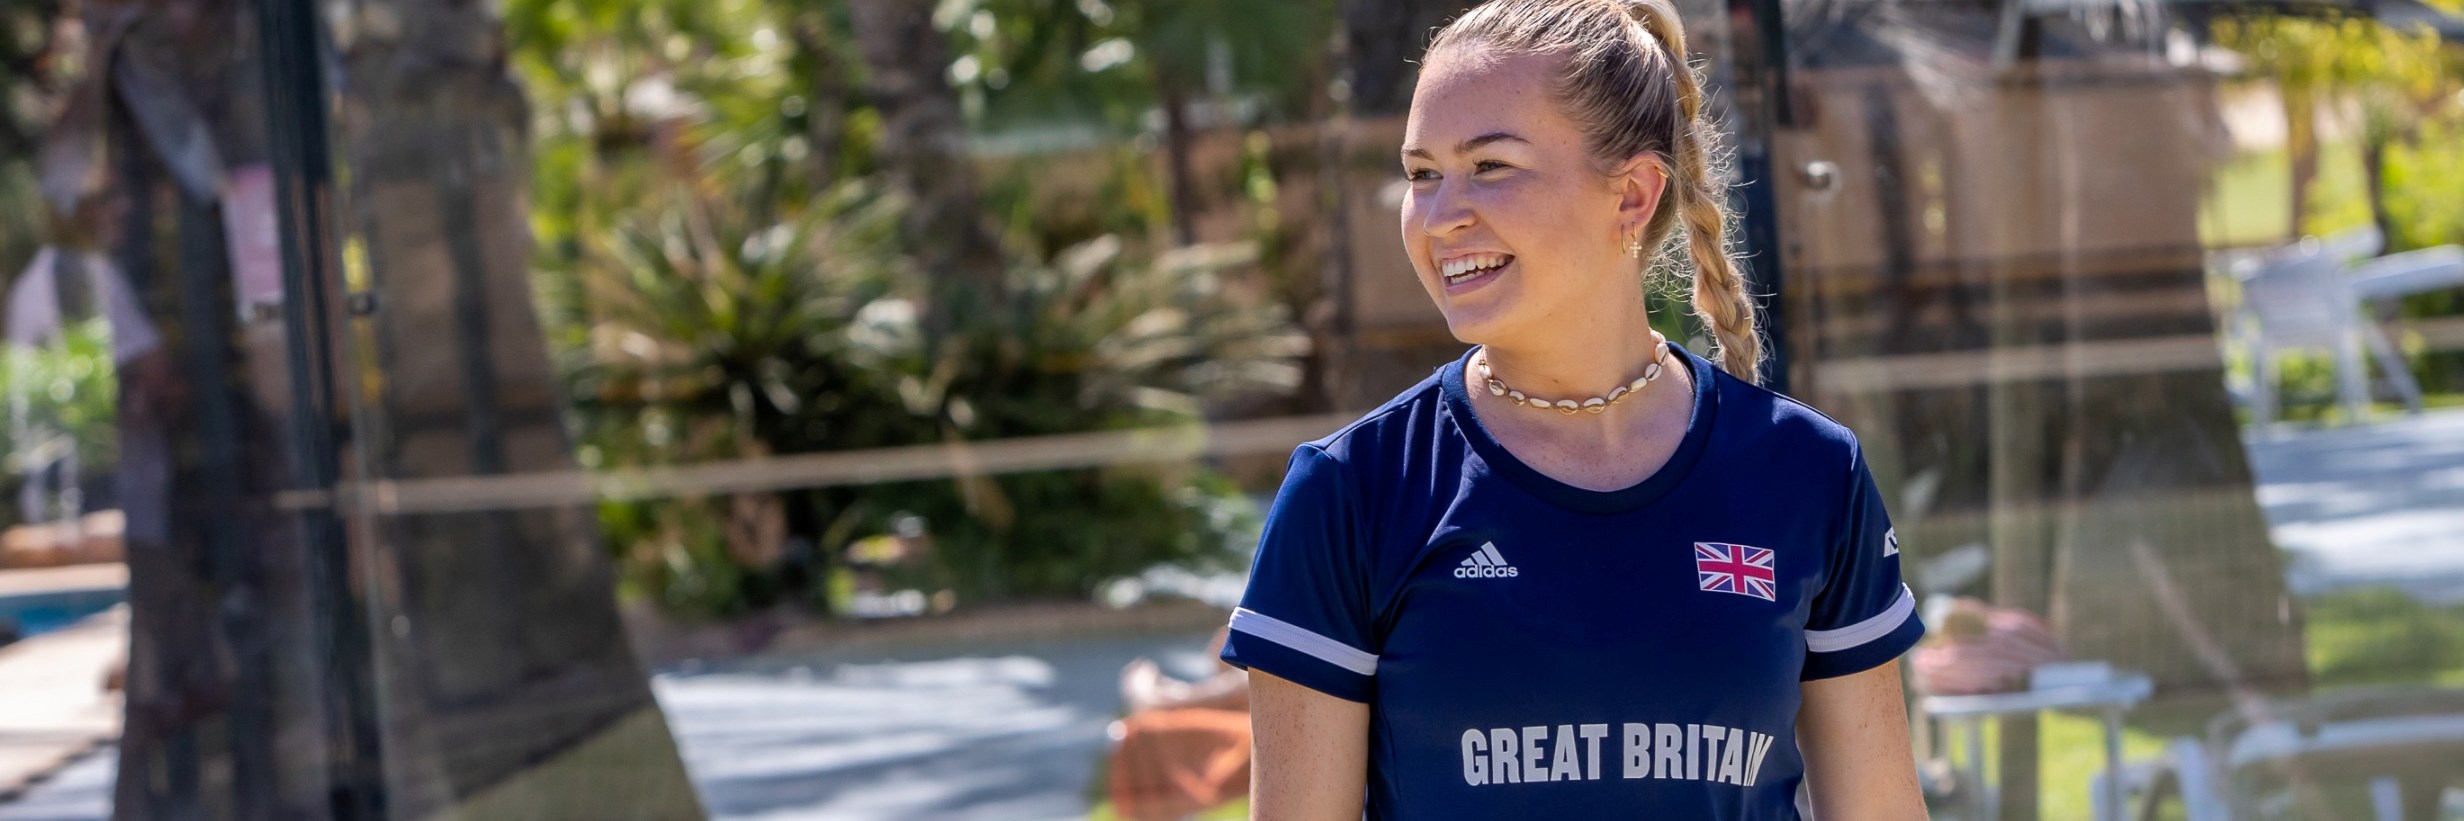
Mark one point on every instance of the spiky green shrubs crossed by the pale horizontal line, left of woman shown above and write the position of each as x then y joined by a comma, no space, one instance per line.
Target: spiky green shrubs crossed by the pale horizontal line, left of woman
696,332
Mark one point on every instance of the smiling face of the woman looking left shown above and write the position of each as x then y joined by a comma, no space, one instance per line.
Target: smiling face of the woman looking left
1509,201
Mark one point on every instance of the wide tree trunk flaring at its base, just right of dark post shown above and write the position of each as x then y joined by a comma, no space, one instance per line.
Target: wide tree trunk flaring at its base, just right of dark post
501,655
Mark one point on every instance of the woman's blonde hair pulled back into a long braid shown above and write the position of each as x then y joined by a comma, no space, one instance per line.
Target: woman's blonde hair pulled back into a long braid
1632,90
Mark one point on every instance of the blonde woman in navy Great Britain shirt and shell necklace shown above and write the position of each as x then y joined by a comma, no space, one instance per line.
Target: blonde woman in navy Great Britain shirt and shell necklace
1578,573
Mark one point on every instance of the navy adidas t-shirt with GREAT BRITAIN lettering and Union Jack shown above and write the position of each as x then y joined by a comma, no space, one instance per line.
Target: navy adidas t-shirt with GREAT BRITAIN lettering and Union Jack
1531,650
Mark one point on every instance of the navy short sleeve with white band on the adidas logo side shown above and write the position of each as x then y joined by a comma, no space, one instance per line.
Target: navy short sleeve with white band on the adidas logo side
1307,615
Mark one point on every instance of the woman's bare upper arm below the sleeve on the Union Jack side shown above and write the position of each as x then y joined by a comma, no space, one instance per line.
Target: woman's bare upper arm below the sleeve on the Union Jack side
1854,738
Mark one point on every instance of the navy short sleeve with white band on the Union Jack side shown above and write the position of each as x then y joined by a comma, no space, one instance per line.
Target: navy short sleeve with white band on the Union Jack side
1864,618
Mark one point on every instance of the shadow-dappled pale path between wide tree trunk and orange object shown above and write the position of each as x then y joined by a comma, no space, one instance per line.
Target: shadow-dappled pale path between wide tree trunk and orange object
947,736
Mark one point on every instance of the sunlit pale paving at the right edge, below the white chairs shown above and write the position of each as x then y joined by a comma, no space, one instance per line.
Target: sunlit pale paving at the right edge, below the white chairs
2369,504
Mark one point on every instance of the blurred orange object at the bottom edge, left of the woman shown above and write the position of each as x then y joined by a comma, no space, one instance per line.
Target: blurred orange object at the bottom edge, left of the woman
1179,763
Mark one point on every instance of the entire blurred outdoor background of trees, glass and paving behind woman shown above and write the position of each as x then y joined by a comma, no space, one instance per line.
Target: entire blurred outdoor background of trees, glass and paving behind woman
866,408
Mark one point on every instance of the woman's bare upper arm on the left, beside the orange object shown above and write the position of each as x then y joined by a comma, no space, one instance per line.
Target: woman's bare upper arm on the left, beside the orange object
1310,756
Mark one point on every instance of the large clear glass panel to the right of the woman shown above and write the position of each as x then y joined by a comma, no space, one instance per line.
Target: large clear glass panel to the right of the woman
2086,280
